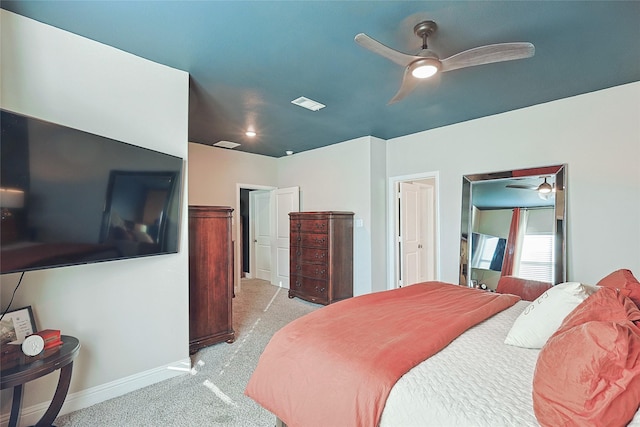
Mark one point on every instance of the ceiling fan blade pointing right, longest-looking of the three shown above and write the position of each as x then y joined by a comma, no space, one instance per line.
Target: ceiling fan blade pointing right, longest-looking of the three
488,54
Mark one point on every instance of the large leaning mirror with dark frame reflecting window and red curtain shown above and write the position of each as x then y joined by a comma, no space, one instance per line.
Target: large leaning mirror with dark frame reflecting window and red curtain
513,223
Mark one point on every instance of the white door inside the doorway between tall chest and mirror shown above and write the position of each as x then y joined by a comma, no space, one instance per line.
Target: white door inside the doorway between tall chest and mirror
410,239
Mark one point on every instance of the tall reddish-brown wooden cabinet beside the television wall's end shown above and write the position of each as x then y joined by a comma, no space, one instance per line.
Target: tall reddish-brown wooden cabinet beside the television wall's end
210,276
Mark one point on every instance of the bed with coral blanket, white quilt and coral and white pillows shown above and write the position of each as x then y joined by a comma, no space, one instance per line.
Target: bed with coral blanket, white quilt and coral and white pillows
471,377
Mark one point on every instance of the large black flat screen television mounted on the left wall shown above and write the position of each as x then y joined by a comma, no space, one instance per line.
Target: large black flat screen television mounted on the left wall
71,197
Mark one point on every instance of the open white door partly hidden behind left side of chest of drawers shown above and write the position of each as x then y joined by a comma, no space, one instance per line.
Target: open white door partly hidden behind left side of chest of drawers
283,201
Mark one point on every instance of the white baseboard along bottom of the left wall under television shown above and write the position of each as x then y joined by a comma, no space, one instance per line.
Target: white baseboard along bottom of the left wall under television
85,398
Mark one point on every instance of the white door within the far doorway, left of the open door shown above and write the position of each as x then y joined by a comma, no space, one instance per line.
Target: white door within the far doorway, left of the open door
260,211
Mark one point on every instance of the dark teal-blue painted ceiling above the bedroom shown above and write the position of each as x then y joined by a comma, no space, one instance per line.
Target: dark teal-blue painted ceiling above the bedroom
249,59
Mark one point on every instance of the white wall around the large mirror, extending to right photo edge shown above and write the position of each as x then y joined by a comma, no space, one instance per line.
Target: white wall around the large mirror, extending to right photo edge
596,134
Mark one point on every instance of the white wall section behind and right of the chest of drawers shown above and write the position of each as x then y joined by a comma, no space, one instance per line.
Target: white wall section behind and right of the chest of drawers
342,177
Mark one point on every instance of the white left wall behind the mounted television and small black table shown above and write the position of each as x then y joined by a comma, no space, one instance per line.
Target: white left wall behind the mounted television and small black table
110,307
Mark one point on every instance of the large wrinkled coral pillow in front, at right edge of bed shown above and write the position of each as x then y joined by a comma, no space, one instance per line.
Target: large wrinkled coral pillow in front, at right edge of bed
588,372
